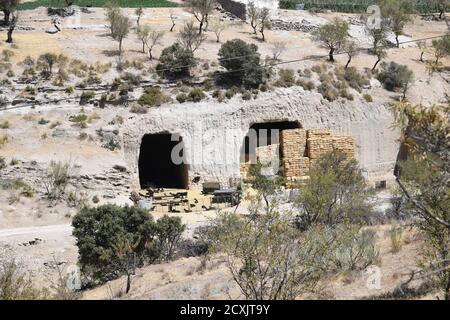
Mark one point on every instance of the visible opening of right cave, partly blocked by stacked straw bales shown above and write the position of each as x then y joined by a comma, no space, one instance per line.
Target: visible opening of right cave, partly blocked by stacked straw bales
264,134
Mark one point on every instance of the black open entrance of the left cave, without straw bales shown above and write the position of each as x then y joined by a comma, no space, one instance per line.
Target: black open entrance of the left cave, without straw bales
156,167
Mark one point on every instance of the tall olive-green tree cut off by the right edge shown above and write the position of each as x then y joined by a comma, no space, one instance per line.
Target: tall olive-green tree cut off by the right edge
424,179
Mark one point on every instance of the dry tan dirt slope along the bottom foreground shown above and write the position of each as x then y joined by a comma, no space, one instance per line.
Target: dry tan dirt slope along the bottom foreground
192,278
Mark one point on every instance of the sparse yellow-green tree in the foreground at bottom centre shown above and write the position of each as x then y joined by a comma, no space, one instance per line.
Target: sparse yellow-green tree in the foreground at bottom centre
269,259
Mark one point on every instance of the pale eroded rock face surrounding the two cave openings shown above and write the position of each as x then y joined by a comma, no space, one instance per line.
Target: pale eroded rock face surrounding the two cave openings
213,133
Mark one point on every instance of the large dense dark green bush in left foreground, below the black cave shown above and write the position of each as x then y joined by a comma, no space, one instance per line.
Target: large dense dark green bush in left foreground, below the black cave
105,233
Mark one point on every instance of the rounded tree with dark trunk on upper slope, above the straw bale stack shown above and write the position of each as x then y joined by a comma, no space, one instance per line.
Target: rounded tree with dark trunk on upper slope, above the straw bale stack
332,36
